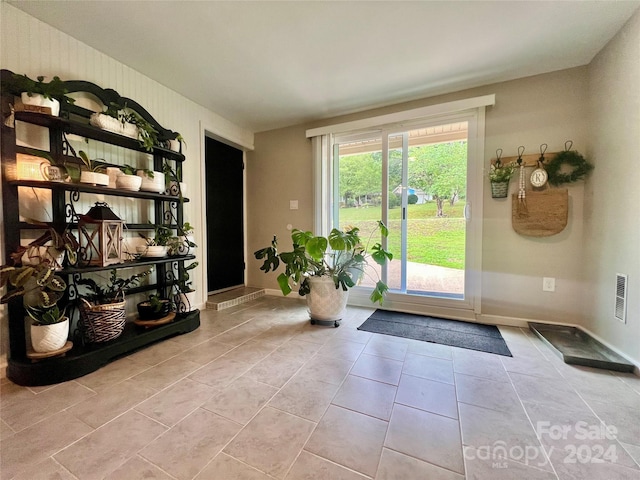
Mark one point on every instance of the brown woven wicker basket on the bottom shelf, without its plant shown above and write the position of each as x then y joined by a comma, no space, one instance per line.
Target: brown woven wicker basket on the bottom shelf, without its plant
101,323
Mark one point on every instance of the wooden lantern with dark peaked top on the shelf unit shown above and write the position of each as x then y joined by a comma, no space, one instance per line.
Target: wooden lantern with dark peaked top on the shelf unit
100,232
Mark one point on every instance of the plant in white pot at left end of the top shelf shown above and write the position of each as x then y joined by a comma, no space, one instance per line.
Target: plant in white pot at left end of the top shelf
38,92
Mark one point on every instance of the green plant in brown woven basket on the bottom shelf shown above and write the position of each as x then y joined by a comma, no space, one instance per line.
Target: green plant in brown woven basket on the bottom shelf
103,308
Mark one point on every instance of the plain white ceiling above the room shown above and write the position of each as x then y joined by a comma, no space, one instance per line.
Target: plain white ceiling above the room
266,64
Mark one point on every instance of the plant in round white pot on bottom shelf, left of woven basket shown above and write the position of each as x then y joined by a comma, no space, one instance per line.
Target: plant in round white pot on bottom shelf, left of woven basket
41,290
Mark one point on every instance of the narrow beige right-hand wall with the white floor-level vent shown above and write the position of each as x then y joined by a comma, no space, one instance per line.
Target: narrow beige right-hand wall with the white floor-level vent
612,222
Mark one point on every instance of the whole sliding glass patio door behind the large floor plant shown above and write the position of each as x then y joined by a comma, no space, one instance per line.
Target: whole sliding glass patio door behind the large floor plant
416,179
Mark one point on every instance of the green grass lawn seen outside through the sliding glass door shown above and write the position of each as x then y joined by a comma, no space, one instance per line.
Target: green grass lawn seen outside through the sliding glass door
432,240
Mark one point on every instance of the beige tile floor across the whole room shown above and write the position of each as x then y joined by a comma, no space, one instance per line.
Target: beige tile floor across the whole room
258,393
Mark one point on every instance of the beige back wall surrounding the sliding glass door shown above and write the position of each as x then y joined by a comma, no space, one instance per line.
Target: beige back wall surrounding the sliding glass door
548,109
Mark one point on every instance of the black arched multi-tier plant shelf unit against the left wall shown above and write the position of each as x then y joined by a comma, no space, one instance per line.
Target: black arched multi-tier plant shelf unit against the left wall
85,357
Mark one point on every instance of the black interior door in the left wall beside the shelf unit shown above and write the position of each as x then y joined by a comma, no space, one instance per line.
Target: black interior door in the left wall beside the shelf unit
225,222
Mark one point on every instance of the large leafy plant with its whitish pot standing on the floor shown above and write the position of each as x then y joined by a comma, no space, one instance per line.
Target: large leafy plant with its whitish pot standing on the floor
324,268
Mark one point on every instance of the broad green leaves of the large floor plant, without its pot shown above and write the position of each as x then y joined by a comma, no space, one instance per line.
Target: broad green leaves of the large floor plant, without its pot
337,256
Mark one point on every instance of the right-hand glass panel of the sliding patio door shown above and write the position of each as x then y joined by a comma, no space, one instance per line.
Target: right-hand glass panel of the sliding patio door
430,187
